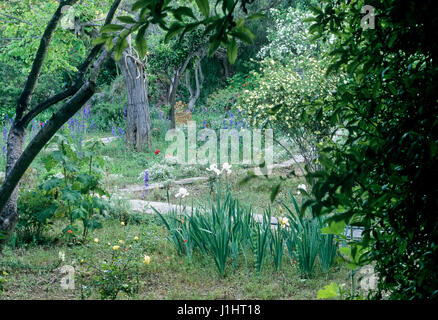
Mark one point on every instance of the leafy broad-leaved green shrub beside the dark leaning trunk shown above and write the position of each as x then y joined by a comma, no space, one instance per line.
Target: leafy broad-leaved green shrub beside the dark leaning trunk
77,191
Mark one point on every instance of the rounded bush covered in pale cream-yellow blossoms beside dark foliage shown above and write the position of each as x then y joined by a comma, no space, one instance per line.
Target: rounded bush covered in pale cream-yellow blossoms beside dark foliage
293,100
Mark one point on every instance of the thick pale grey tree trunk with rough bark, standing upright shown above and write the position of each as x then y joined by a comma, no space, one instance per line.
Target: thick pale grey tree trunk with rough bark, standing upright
138,122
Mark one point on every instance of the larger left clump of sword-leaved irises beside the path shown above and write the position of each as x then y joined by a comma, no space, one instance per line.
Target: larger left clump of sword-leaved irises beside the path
220,229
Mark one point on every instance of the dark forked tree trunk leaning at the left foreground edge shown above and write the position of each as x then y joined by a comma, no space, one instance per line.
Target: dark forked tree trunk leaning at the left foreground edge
77,95
